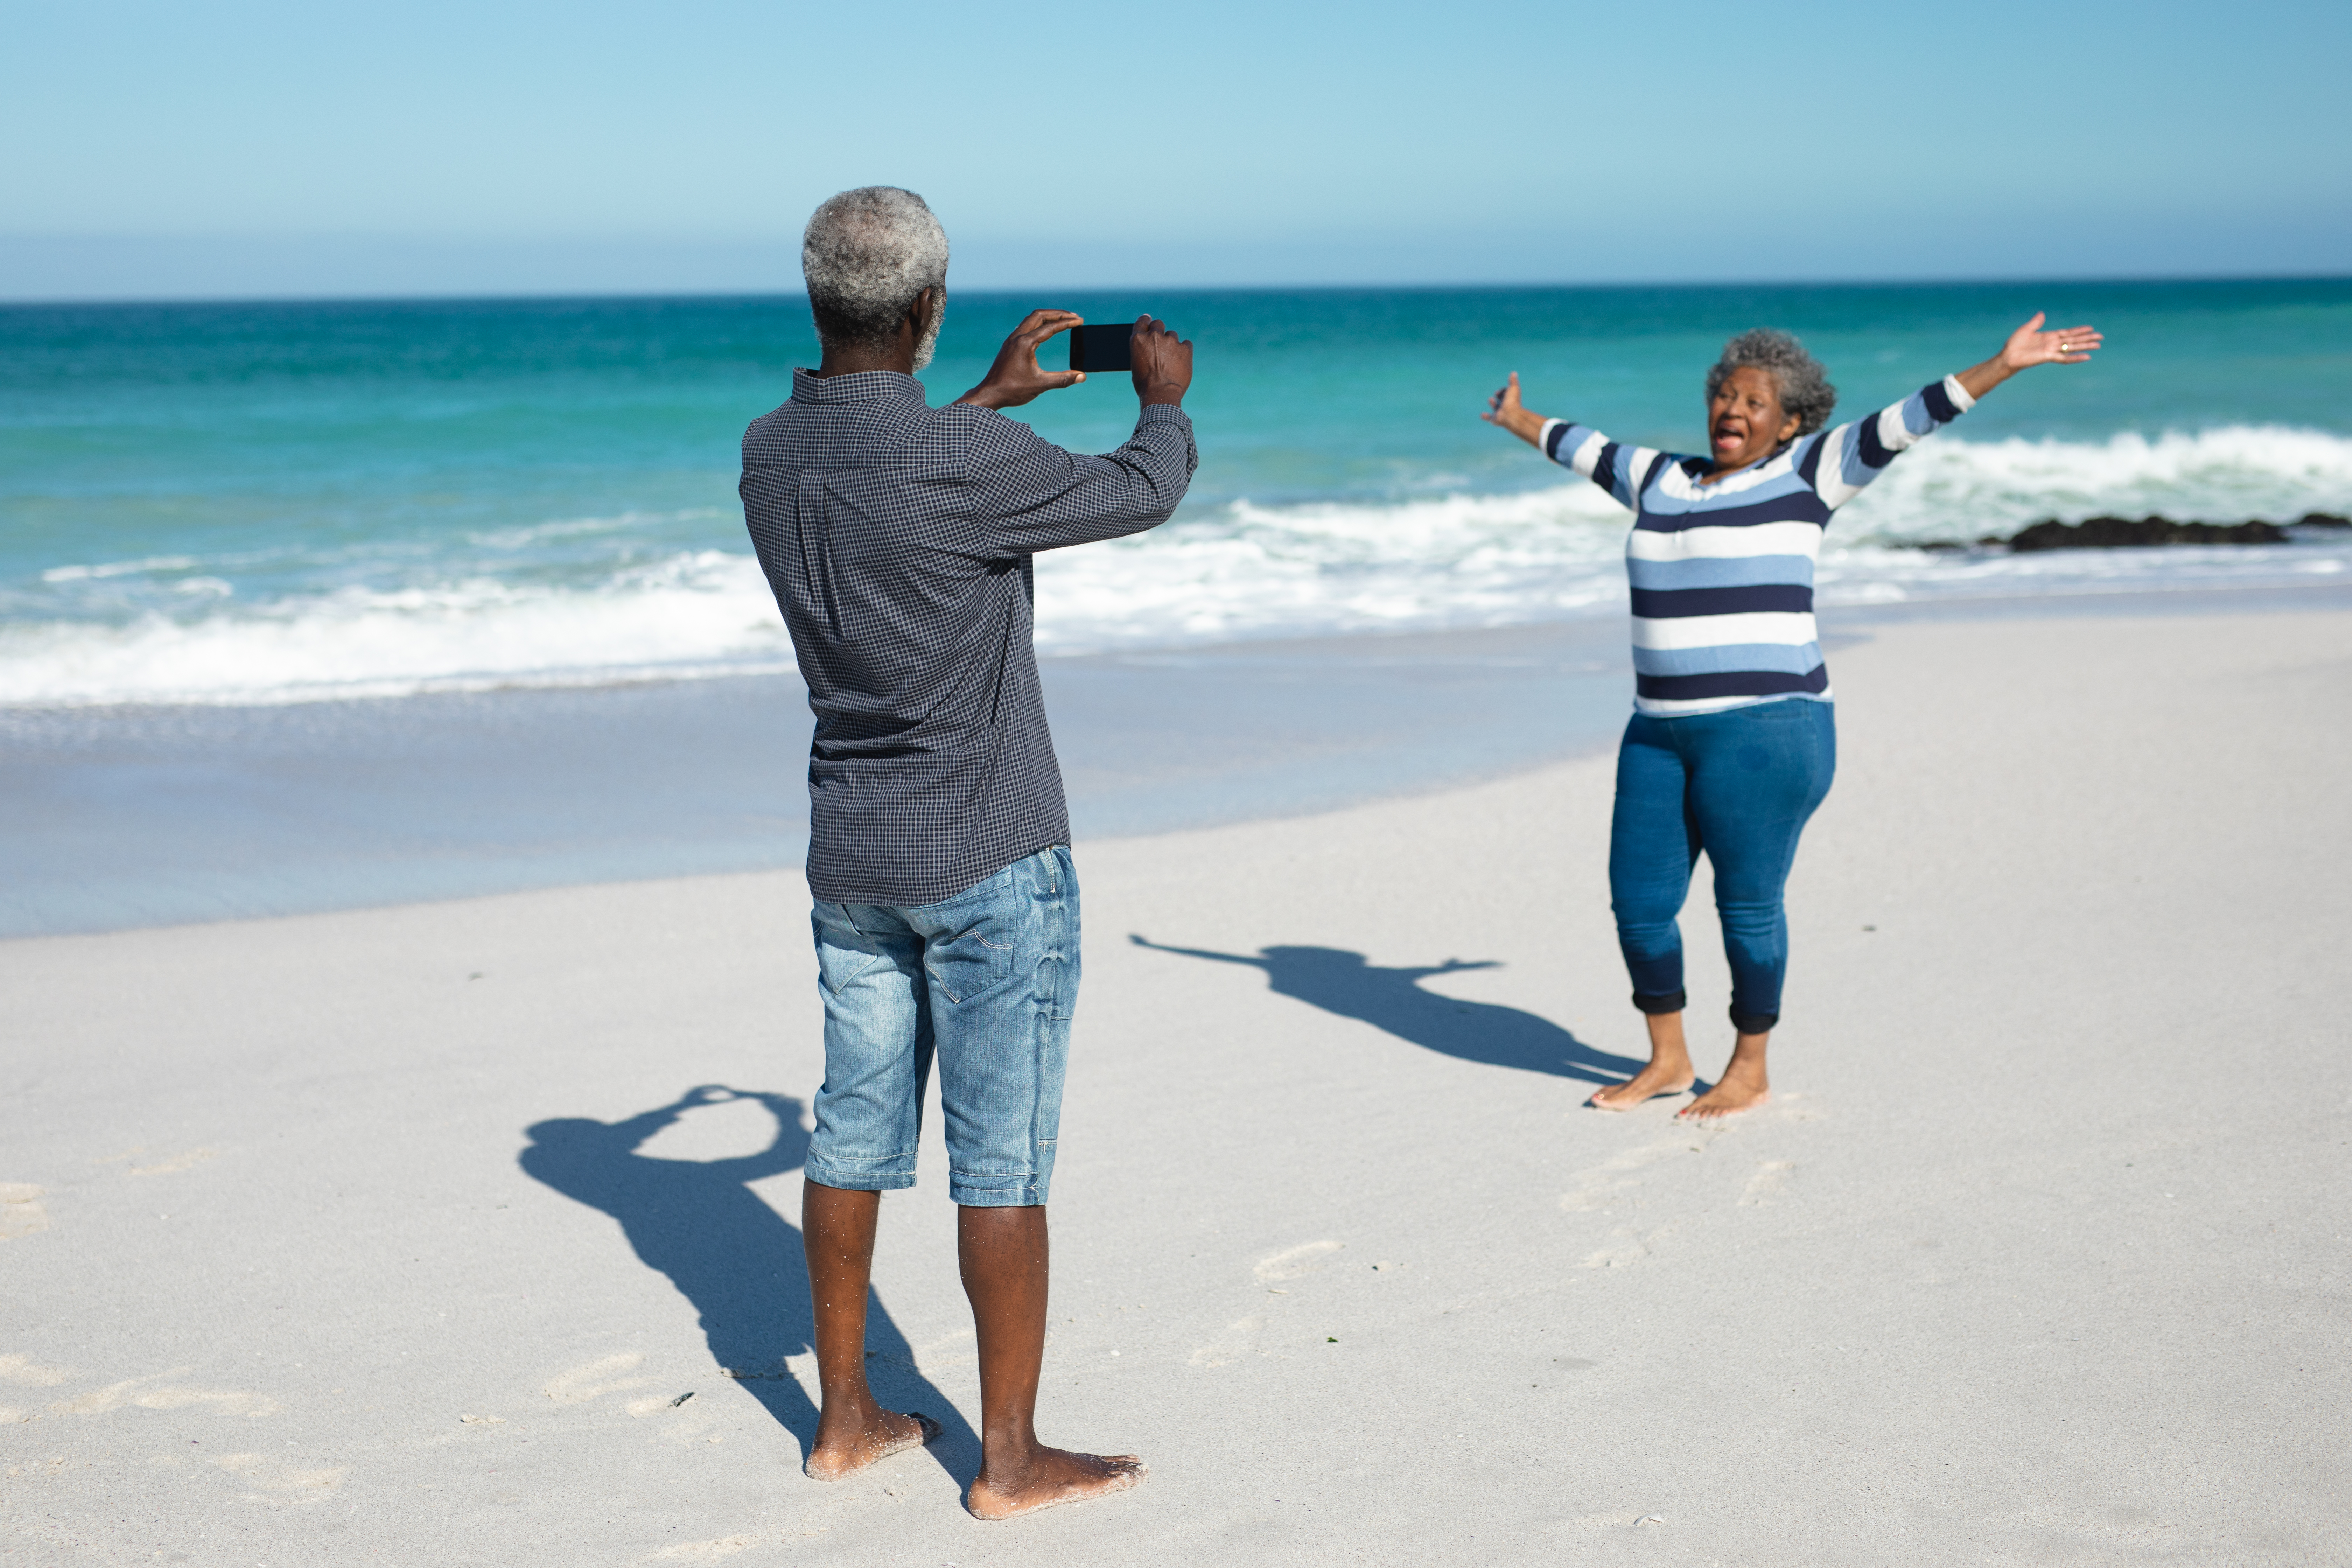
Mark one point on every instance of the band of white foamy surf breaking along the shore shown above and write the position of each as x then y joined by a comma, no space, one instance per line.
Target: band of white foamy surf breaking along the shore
620,608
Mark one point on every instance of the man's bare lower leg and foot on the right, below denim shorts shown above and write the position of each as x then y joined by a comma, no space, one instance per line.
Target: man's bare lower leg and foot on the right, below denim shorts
1003,1254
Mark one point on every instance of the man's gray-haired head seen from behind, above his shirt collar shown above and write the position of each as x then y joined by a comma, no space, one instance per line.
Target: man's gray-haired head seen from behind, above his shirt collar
867,255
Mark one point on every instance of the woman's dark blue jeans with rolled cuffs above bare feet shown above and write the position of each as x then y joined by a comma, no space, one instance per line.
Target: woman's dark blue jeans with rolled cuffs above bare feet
1739,789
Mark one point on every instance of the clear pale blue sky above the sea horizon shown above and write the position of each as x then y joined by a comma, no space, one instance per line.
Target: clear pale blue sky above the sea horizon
272,149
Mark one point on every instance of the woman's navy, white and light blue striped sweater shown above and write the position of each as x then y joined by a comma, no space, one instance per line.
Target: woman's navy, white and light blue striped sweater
1723,575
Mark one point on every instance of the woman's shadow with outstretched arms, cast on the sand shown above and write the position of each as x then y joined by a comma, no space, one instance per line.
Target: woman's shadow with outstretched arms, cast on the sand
1391,1000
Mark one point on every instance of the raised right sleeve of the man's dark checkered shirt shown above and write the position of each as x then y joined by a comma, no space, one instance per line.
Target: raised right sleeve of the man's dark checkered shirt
1031,495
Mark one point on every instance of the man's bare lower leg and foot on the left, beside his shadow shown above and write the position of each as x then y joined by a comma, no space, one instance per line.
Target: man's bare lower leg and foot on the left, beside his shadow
853,1430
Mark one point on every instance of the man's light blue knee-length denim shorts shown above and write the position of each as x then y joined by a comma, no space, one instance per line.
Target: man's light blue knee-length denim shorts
987,981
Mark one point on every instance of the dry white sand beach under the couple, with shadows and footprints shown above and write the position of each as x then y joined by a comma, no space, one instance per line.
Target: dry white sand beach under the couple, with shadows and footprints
2038,1257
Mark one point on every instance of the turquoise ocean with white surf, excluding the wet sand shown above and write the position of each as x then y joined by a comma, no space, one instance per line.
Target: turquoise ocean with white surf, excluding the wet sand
281,504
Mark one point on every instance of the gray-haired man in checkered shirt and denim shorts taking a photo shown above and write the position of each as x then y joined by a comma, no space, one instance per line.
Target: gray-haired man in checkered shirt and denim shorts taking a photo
900,544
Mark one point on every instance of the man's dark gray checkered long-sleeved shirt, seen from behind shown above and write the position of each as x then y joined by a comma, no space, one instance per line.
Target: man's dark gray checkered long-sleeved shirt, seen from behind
900,540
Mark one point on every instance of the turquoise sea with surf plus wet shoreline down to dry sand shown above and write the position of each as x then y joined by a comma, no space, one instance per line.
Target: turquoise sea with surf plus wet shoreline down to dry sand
330,605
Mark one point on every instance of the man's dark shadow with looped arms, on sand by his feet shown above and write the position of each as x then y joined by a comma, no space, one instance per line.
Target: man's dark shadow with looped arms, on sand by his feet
730,1254
